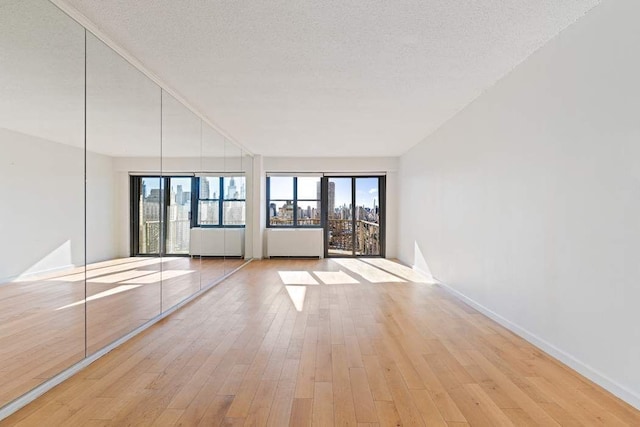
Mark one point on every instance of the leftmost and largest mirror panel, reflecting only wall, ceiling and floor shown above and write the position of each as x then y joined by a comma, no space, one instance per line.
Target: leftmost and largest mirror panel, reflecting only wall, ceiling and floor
42,185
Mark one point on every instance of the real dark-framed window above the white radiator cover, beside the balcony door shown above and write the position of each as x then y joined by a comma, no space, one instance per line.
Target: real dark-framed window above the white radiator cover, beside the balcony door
293,201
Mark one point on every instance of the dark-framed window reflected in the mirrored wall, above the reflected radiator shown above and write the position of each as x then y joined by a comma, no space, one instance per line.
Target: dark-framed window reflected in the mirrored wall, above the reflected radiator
221,201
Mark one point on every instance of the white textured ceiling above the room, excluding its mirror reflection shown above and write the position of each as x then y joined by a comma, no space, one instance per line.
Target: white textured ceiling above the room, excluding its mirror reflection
330,78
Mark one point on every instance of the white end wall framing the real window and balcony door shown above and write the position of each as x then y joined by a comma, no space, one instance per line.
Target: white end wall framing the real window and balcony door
388,165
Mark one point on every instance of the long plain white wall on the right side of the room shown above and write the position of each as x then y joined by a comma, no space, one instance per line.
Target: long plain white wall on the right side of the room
528,201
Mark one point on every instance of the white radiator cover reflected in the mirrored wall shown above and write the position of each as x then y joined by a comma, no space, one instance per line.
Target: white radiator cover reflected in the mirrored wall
217,242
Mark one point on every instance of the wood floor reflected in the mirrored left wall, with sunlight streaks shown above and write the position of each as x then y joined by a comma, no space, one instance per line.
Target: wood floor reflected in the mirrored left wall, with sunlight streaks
42,318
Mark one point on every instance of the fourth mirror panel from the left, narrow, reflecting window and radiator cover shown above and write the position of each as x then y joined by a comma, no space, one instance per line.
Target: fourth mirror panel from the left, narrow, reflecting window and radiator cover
210,181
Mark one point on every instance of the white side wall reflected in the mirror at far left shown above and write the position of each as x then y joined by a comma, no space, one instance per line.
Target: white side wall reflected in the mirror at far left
42,217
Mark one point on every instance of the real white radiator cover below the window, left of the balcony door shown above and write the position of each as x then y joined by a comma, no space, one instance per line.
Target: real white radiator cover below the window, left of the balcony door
295,242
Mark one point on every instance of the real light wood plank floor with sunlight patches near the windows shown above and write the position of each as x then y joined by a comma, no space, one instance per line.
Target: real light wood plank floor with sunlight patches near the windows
330,342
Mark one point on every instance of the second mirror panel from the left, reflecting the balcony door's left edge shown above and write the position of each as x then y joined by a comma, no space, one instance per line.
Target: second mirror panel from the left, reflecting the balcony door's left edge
123,129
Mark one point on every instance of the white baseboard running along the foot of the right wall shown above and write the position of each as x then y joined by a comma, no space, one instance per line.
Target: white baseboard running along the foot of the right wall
624,393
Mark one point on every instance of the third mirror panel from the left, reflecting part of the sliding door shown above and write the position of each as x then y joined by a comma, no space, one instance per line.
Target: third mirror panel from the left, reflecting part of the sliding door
181,156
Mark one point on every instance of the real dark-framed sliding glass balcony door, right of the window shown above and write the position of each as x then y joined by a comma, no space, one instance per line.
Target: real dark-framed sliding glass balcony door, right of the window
354,222
